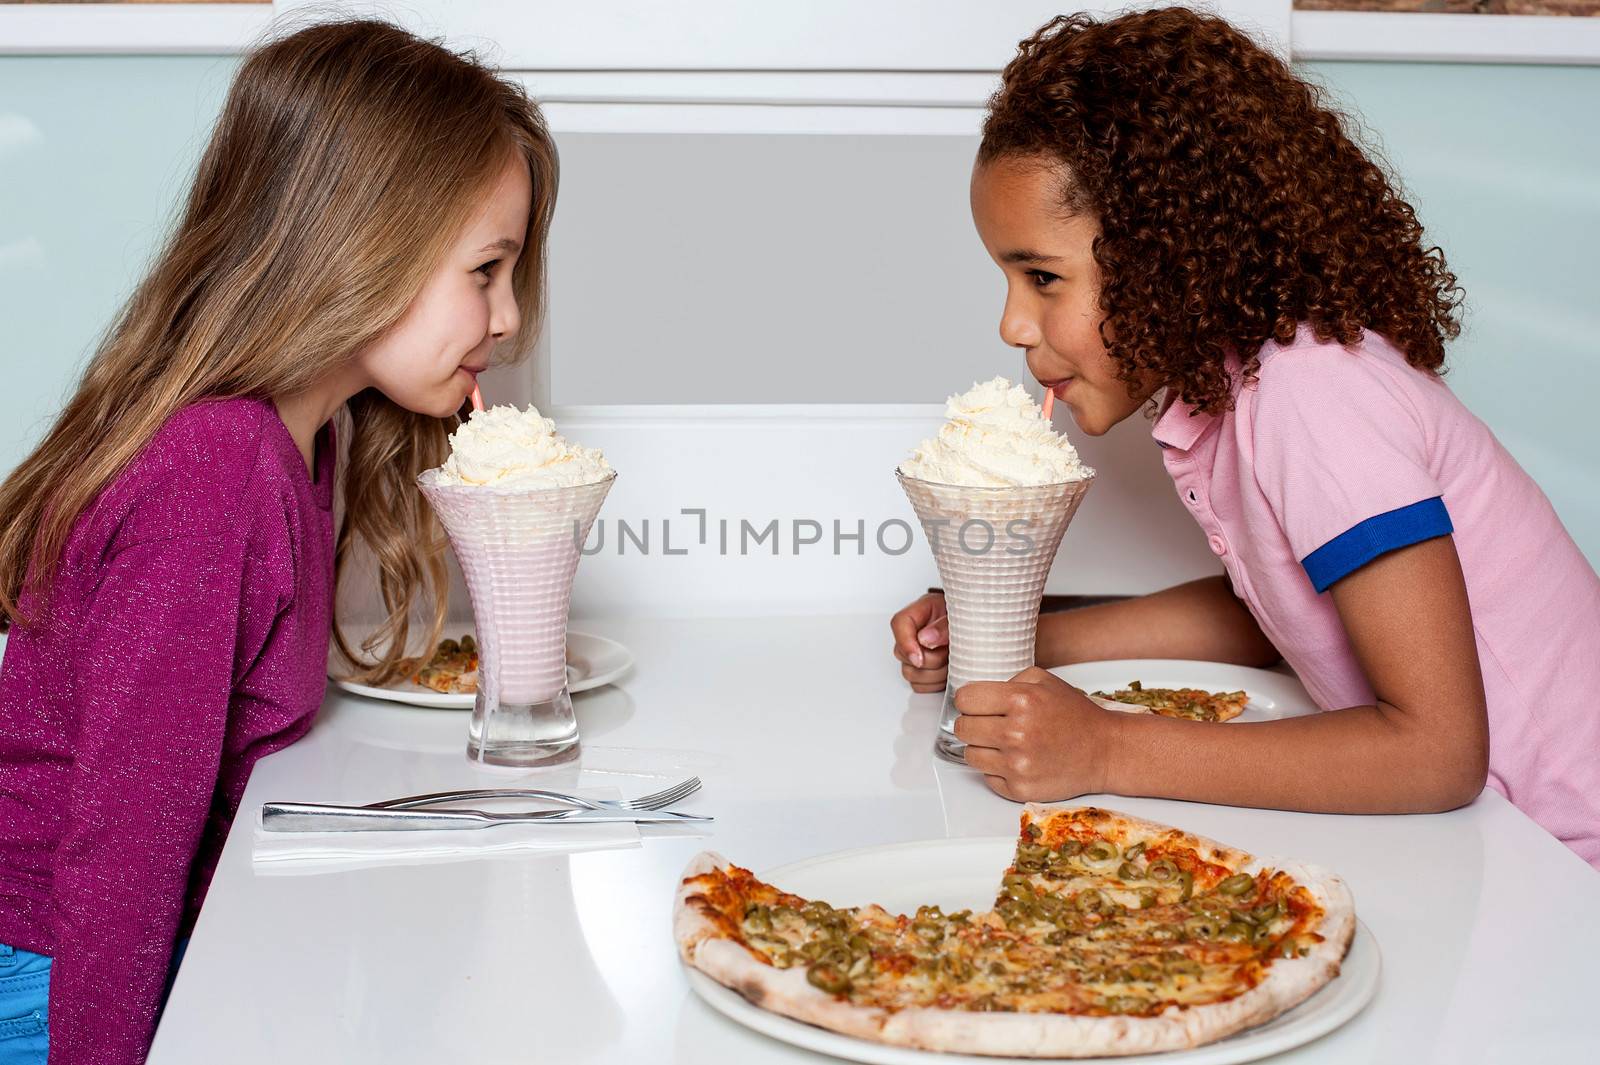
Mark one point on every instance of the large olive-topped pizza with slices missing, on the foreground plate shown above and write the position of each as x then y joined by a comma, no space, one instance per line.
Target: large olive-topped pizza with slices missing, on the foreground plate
1110,936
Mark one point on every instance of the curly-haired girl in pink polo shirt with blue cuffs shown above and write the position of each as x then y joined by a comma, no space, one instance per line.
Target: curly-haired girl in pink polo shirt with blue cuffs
1185,225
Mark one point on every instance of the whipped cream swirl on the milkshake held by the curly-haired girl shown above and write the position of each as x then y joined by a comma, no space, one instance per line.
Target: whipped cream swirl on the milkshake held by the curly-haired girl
996,436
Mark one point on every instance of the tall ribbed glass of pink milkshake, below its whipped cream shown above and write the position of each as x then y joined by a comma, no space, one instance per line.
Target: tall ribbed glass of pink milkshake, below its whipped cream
519,551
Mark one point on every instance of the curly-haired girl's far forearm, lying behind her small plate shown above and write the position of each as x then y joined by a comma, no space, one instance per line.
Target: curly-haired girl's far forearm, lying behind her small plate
1201,620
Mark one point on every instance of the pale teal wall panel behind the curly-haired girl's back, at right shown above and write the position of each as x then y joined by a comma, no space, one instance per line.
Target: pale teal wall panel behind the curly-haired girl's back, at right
1503,166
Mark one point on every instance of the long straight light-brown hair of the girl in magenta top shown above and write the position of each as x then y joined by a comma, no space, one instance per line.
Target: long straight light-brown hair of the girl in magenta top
345,164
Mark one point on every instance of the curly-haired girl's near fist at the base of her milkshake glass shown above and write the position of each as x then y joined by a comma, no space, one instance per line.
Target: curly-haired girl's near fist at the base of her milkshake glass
1036,738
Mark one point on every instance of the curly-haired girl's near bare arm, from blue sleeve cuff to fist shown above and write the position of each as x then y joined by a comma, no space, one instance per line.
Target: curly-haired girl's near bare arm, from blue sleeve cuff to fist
1423,748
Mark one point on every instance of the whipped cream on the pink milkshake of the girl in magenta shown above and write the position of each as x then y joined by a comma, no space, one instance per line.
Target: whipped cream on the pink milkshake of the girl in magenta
506,447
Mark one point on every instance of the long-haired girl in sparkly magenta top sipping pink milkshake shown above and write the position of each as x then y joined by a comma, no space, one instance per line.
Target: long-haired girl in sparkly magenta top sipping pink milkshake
366,233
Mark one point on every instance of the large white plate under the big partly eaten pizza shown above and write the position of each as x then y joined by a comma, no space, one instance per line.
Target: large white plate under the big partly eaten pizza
966,874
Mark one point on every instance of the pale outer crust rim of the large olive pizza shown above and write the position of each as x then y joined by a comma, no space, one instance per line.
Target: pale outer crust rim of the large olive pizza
788,992
